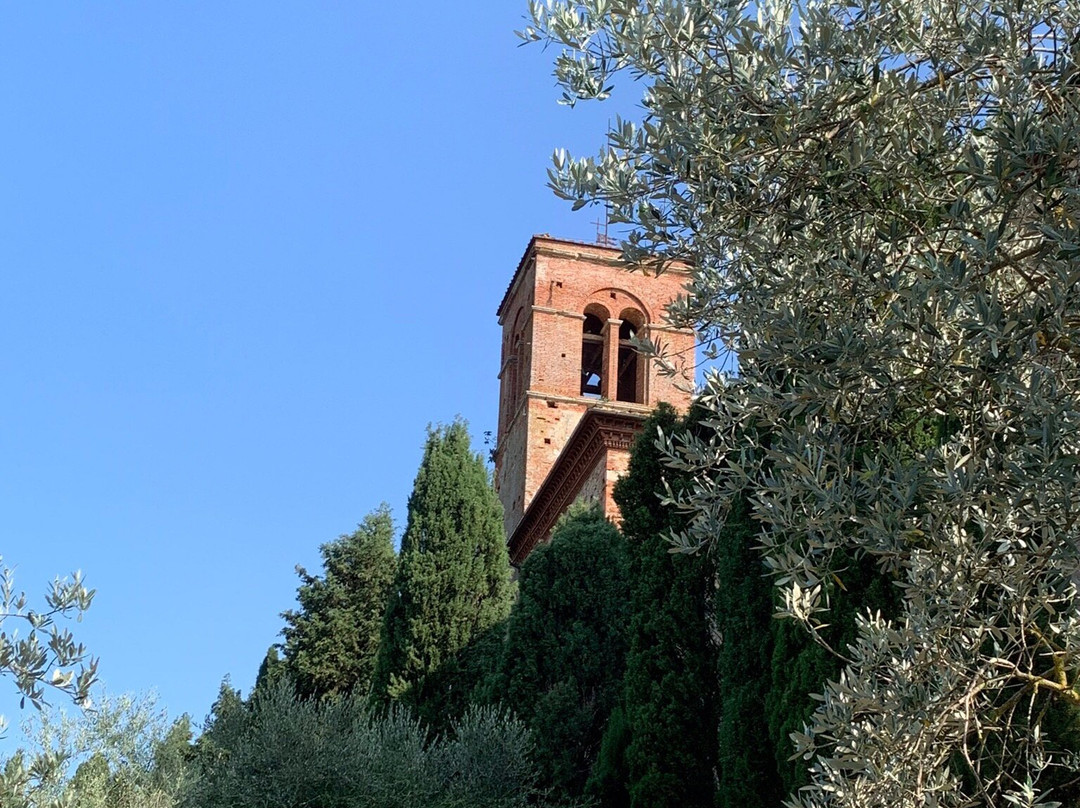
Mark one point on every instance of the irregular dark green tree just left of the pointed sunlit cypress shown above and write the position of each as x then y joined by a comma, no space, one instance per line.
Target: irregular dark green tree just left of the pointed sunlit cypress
333,640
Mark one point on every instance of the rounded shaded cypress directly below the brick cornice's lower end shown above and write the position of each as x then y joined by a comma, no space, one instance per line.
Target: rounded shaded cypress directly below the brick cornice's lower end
566,645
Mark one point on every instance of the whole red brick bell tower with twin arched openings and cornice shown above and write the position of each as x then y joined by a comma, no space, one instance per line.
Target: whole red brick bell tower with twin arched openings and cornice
574,393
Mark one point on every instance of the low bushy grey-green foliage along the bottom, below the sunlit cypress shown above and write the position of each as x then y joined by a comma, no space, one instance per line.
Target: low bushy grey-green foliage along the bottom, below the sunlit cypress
280,751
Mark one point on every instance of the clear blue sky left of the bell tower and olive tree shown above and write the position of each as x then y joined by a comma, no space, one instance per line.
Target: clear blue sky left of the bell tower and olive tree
248,253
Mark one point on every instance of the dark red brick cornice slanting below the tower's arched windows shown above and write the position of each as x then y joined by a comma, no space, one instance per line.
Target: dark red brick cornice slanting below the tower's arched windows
599,432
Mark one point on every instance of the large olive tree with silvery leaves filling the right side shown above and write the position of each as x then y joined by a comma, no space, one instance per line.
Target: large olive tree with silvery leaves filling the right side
881,205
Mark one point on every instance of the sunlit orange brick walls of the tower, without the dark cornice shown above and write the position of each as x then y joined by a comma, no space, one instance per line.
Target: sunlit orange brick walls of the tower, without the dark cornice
543,317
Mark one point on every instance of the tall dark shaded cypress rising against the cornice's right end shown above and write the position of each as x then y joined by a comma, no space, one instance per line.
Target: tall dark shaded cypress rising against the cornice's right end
670,692
